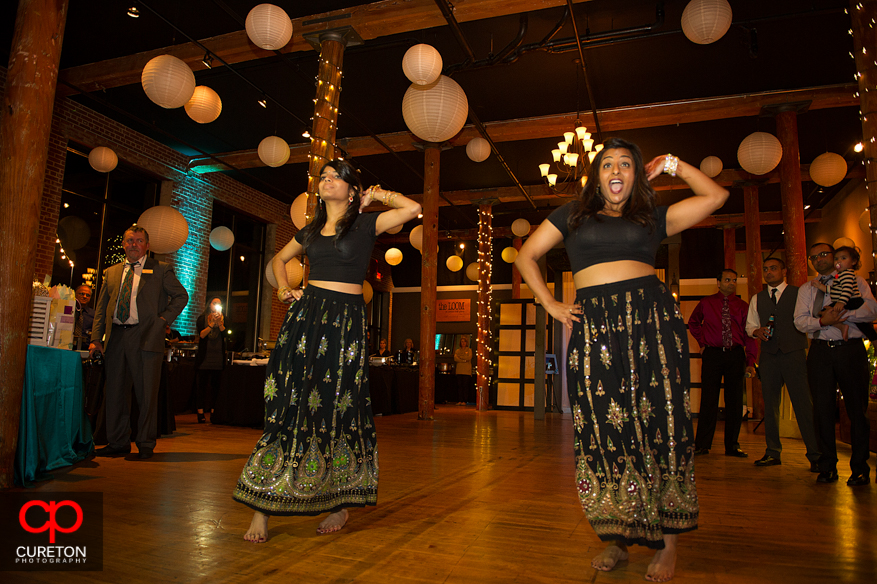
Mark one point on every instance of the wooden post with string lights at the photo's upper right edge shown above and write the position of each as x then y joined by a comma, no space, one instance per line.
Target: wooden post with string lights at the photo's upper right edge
862,15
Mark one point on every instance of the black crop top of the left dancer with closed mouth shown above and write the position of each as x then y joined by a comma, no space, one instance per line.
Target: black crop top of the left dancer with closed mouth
348,262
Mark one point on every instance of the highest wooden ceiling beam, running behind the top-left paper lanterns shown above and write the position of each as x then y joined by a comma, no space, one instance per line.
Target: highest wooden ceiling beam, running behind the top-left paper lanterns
371,21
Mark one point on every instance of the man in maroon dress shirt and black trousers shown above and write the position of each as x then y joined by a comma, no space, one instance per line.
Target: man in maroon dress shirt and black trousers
718,324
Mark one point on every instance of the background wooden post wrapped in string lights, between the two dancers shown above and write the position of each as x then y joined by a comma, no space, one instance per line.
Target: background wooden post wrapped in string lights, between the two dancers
485,338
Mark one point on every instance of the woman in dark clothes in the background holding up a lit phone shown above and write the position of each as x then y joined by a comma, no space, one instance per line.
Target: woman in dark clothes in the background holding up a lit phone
210,359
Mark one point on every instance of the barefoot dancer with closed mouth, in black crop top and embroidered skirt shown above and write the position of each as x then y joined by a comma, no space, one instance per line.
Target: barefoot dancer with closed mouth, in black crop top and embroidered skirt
319,452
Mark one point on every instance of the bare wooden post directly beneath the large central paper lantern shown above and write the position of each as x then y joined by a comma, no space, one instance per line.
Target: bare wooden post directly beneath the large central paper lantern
428,281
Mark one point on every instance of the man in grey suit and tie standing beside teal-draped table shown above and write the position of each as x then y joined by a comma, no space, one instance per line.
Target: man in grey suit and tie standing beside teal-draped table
137,299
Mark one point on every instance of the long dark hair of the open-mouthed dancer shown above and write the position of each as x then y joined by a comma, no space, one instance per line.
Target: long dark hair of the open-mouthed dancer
638,208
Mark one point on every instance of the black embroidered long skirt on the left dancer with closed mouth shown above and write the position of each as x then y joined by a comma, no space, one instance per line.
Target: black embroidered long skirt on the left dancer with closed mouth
319,449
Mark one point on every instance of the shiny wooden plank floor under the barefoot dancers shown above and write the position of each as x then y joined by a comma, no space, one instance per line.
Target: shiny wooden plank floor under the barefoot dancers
467,498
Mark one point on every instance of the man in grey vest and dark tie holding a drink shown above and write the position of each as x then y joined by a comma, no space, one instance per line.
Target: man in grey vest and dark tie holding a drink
783,360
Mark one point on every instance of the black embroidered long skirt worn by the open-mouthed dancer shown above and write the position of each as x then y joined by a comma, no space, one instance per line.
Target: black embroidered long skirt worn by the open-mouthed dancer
628,382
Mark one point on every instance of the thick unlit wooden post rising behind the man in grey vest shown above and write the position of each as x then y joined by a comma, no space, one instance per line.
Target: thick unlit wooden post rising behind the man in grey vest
795,239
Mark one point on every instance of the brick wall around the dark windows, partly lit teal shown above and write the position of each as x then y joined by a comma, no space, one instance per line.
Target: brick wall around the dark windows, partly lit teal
193,196
